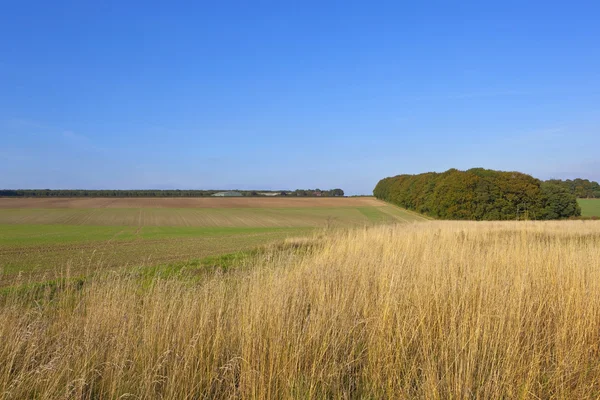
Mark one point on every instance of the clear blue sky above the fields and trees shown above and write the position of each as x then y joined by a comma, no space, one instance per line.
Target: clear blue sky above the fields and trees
285,95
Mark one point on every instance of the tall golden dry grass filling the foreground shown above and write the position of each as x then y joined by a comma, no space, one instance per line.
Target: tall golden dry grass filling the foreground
432,310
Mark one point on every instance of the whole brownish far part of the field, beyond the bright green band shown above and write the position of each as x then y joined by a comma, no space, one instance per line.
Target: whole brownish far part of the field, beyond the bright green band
202,212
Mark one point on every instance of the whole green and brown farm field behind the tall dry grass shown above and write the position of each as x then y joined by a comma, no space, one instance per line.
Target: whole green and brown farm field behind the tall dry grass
39,238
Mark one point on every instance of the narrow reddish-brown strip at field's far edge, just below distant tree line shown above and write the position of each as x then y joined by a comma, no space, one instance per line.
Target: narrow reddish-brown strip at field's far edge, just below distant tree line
197,202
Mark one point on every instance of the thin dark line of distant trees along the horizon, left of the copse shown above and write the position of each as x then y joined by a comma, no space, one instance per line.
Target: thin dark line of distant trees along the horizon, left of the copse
164,193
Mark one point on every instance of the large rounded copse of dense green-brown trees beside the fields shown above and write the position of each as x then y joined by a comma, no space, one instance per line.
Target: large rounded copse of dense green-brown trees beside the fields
479,194
